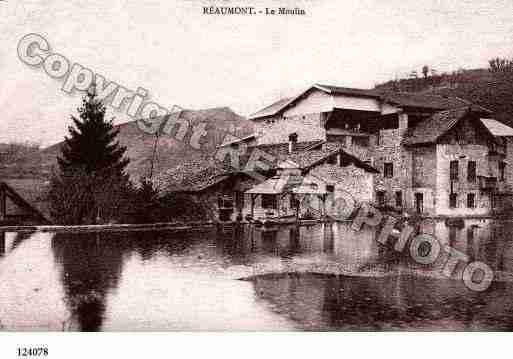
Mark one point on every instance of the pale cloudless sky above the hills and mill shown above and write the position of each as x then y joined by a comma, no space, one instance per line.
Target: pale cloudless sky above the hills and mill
185,58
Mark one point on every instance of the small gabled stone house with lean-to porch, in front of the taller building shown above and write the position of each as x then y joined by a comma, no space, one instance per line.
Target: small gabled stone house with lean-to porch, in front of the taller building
308,183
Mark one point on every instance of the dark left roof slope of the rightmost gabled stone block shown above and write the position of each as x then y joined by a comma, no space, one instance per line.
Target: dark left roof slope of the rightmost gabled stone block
432,128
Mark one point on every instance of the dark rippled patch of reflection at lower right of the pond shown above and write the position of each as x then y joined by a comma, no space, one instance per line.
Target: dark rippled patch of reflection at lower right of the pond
331,302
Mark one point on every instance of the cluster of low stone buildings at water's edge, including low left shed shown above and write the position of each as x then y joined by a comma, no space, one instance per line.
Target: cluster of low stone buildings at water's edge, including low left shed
289,179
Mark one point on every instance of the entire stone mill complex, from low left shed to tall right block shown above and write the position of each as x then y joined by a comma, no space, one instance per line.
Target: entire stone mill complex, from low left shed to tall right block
421,154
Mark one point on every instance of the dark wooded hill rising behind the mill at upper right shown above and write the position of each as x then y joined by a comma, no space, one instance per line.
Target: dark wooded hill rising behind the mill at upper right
490,89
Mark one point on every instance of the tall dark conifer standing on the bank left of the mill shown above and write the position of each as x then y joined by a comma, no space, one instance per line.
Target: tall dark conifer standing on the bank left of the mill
91,183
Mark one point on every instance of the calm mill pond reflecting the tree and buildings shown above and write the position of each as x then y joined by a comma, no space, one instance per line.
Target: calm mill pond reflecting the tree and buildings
323,277
